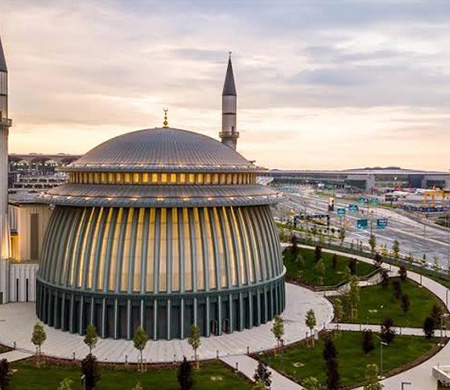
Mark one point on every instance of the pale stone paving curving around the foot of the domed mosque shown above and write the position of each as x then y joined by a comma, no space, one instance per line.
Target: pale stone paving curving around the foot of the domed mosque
17,320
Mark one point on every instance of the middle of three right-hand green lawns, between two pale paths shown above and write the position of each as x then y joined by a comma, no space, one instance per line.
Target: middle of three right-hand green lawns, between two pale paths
378,302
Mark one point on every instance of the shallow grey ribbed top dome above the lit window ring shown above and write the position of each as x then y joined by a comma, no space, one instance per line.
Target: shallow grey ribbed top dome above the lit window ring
162,149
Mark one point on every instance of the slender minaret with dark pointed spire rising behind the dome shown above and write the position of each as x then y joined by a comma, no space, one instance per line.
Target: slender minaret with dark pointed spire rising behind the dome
229,134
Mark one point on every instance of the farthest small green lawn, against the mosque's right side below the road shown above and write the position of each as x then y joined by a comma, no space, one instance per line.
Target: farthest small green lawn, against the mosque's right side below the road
308,273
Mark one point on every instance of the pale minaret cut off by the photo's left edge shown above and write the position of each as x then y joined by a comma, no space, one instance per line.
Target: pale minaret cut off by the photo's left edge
5,124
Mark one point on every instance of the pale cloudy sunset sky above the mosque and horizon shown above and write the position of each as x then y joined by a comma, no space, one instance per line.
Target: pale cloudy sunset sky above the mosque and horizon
321,84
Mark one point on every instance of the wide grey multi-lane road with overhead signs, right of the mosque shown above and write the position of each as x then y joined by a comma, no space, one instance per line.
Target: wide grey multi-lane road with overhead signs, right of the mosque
415,238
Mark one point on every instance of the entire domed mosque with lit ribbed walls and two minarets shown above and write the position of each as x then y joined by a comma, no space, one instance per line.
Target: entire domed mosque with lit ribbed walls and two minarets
160,228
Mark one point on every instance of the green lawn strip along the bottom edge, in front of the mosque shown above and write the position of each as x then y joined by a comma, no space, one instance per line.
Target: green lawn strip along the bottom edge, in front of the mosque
211,375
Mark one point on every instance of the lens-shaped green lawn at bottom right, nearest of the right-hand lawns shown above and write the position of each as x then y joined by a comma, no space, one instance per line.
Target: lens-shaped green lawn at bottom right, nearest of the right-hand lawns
300,362
